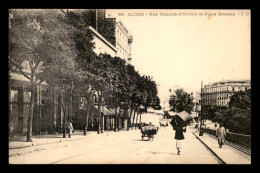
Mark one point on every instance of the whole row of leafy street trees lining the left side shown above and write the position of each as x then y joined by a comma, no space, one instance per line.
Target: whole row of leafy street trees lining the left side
58,48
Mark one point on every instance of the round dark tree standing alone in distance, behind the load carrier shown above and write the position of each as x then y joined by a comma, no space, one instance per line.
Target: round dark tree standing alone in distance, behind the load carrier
181,101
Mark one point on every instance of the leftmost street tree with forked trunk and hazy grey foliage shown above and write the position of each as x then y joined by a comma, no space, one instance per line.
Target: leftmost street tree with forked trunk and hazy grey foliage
31,41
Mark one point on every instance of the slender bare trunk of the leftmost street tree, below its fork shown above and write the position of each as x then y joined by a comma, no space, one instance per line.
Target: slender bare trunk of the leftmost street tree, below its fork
29,122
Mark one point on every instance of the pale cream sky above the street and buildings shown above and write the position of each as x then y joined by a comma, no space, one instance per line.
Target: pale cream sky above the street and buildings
185,50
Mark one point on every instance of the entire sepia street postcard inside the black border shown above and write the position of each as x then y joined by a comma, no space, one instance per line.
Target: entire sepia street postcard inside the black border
129,86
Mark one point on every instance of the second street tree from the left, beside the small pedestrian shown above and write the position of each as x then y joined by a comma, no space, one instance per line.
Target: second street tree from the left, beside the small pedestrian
60,69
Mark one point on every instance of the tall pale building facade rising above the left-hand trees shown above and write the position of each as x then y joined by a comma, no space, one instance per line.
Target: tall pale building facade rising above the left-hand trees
123,42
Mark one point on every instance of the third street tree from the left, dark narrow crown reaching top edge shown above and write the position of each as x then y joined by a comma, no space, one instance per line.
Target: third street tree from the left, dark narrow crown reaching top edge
85,55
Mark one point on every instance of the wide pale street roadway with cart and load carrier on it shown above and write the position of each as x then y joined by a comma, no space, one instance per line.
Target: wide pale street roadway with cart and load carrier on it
124,147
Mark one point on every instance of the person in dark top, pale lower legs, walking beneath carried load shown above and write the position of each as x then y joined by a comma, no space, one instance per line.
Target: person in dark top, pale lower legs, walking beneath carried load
179,128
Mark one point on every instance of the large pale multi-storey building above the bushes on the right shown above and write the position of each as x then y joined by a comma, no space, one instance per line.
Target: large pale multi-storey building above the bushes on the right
219,93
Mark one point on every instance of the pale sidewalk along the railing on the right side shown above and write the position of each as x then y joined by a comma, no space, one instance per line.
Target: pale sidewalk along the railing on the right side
227,153
